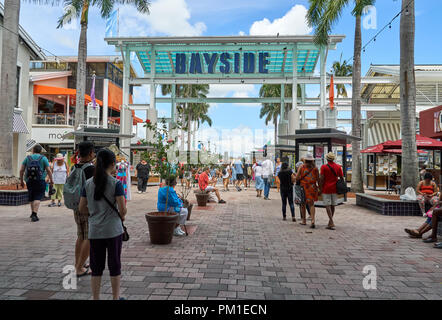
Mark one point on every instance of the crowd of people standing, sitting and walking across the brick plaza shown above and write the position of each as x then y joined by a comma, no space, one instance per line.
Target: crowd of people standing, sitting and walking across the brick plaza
97,195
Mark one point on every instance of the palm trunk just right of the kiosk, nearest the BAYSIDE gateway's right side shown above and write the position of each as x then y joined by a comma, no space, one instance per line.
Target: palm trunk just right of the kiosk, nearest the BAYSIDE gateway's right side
356,169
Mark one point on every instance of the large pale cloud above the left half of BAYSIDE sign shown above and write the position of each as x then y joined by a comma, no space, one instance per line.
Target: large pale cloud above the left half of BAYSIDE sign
167,17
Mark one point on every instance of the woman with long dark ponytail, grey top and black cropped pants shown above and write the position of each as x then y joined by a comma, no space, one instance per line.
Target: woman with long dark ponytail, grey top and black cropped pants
100,198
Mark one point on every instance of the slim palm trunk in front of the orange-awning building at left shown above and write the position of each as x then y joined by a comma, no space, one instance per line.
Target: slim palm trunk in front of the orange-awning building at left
81,68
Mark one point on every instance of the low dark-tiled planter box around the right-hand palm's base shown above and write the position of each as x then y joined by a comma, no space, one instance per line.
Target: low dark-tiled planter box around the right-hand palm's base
388,207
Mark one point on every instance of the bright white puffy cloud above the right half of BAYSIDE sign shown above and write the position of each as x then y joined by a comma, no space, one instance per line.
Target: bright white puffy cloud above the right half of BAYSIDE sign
292,23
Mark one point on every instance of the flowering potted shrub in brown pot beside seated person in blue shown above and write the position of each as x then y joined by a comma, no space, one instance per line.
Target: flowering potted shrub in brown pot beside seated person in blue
161,224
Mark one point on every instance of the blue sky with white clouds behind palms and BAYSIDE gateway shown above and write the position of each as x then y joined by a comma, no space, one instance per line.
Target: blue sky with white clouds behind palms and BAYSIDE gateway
232,17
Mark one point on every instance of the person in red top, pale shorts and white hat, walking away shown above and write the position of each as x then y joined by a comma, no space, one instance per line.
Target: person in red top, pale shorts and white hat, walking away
330,174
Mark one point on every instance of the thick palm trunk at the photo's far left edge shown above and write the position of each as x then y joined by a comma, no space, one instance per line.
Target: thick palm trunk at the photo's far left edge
8,91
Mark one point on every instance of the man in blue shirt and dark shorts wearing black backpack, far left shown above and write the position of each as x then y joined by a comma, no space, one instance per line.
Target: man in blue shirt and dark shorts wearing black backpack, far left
36,166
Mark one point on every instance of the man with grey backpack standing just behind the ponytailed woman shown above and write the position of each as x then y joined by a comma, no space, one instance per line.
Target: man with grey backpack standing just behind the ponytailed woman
75,183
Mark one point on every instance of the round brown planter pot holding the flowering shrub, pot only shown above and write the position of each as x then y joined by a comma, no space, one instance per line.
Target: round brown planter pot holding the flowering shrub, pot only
161,226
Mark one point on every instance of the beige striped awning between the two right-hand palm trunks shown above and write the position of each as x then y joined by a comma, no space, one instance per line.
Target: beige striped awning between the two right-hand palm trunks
380,131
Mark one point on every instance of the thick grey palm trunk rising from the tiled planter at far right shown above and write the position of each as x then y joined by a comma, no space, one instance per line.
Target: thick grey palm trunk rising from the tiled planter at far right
410,170
